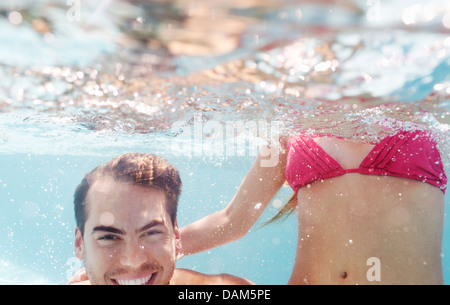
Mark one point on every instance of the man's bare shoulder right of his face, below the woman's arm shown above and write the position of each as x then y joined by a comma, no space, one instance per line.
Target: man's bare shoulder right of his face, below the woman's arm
190,277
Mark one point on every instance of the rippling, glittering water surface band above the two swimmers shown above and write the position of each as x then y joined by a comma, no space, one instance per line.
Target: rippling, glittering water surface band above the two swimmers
313,79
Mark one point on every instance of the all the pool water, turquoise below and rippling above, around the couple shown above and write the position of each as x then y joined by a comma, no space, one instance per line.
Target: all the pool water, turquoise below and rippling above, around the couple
79,87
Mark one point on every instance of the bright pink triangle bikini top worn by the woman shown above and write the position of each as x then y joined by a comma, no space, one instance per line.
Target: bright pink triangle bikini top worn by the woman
407,154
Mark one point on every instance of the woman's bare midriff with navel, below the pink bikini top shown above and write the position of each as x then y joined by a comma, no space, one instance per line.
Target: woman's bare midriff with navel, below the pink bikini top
360,229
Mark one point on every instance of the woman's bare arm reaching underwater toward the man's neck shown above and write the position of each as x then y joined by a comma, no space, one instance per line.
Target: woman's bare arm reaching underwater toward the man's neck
259,186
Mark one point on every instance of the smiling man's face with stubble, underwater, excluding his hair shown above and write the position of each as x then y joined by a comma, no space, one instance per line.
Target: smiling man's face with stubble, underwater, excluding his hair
128,237
